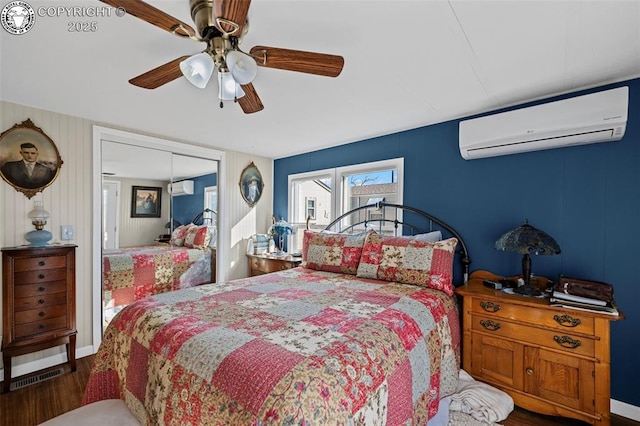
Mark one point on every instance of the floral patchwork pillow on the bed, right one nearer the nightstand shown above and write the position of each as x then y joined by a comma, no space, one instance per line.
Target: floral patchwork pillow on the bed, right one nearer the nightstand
409,260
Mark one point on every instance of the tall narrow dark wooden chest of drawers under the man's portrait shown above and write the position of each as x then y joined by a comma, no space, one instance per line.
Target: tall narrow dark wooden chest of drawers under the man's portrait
38,302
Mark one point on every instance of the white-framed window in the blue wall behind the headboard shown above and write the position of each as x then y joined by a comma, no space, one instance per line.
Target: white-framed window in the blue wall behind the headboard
325,194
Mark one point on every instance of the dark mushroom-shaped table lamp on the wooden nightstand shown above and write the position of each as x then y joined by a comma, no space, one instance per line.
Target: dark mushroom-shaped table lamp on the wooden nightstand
527,240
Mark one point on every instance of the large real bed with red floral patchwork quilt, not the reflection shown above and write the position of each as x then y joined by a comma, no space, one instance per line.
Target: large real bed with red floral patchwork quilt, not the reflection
335,341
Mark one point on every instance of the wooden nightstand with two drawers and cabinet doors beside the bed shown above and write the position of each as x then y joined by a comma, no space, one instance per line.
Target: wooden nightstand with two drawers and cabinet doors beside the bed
551,360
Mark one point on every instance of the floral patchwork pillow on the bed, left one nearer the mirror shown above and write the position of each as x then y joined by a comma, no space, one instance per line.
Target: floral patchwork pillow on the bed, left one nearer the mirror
332,252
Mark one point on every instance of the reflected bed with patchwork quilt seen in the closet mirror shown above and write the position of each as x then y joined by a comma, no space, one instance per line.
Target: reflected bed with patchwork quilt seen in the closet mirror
130,274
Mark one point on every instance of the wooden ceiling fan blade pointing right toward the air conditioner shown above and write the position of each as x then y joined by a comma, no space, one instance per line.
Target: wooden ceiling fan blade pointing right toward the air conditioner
298,60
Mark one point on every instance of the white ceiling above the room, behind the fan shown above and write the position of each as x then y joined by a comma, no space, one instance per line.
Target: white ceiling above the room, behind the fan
407,64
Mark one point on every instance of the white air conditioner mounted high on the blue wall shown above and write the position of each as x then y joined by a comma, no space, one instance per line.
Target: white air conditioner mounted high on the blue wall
597,117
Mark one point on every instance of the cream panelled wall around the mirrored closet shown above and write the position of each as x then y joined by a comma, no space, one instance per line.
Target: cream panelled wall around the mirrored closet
69,200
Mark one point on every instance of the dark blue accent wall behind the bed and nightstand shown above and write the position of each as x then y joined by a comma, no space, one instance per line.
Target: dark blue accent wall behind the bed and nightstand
586,197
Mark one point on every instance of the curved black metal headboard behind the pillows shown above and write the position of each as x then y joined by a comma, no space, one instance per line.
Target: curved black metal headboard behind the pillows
383,221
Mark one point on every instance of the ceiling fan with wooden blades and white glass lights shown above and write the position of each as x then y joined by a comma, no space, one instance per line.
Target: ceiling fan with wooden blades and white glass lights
222,24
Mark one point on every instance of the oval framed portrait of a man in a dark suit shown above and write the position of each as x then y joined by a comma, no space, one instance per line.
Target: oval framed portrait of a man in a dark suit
29,160
